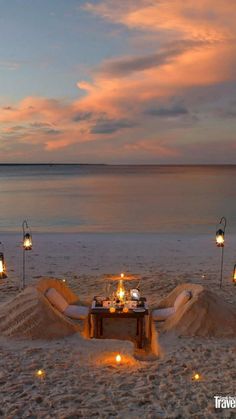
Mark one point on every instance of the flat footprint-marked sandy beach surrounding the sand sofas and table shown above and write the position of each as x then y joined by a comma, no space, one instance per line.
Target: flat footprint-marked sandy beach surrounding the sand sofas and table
81,378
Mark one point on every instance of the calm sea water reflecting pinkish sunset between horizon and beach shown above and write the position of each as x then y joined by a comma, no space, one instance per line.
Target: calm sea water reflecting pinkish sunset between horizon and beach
74,198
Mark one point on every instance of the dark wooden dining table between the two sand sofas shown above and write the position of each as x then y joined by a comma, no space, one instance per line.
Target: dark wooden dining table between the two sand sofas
101,313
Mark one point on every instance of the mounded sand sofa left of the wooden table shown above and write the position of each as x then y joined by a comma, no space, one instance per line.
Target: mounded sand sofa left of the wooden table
31,315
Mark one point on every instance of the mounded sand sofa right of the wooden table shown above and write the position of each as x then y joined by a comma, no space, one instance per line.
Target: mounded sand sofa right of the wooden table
205,314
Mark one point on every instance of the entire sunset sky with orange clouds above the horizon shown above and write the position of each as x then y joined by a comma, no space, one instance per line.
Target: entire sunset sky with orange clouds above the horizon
119,82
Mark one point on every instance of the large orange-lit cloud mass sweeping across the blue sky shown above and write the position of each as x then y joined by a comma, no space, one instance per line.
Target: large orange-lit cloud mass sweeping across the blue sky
152,93
